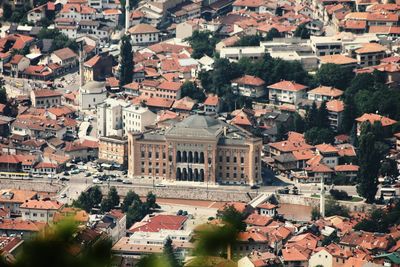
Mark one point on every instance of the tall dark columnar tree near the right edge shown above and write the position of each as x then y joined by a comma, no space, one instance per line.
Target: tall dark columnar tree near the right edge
369,157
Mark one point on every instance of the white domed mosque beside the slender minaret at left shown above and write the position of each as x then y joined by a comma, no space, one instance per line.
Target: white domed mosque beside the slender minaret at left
91,94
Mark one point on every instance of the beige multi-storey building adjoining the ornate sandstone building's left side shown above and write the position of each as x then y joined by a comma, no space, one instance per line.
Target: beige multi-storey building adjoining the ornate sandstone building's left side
113,149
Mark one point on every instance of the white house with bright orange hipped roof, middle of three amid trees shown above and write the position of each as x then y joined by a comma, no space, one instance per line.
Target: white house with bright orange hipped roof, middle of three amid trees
286,92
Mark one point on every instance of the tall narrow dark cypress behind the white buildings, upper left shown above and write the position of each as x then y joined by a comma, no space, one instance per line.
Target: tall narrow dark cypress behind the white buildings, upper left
125,61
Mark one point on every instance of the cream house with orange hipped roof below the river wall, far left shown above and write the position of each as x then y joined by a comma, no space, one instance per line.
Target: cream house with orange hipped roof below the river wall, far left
40,210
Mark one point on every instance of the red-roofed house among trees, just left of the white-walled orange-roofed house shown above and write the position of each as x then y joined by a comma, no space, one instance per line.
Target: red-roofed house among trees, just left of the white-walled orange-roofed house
249,86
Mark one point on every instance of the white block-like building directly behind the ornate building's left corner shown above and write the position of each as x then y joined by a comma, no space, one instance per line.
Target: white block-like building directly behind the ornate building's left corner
136,118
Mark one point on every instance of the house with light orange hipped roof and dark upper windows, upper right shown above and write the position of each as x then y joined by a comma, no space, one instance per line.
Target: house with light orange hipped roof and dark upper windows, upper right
370,54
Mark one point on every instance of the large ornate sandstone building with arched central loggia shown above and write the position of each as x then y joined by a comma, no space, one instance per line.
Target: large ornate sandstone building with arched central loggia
198,149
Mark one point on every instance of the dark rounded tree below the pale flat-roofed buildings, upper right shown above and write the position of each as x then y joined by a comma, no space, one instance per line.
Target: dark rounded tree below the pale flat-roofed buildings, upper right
334,75
